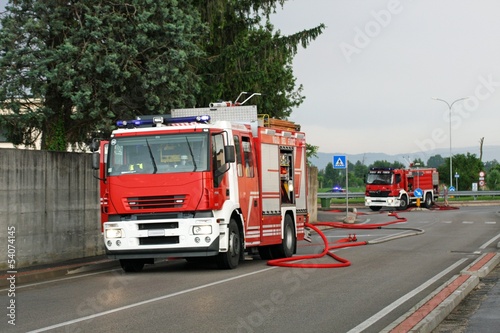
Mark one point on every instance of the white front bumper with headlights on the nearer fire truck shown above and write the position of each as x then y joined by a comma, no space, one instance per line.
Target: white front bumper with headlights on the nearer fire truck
161,238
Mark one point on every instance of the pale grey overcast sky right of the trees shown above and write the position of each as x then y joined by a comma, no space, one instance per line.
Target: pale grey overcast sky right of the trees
370,77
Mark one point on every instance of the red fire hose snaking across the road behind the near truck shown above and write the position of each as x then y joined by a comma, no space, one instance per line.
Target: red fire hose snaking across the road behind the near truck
350,241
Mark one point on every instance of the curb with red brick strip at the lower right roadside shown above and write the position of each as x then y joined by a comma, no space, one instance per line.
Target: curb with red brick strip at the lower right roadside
432,310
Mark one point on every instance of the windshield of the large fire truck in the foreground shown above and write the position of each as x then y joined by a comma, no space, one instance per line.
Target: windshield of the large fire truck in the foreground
165,153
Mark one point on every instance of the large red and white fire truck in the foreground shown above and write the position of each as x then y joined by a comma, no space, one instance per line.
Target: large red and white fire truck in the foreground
203,183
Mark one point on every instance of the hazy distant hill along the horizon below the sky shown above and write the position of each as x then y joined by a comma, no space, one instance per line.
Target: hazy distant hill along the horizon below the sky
490,153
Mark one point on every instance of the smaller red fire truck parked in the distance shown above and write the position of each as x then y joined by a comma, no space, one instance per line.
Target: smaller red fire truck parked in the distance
398,188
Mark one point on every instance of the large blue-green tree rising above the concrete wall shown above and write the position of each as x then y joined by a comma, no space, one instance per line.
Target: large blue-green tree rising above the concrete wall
71,68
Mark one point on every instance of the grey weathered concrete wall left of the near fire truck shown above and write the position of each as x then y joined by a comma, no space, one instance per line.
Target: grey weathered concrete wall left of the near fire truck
52,200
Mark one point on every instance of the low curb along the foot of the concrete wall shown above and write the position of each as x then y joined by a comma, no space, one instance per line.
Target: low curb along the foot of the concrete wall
41,274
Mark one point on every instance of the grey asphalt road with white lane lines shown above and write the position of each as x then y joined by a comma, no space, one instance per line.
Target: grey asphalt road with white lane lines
383,282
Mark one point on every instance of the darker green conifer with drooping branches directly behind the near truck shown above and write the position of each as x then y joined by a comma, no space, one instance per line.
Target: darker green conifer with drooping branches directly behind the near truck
244,53
